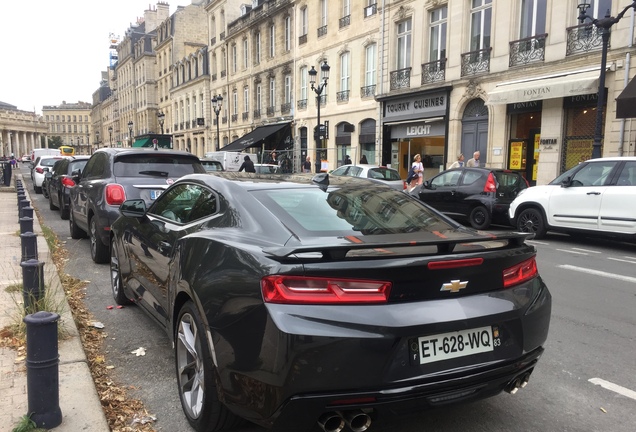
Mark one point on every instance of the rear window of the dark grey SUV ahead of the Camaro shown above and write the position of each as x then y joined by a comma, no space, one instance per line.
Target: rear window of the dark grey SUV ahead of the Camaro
156,165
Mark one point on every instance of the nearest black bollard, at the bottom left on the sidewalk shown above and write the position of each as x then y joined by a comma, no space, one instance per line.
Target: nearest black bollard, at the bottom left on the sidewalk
42,364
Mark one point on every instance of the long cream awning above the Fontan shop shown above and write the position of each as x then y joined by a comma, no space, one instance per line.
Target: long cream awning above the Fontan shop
545,88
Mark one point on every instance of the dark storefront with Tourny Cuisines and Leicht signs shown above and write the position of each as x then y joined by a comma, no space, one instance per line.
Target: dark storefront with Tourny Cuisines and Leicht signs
416,124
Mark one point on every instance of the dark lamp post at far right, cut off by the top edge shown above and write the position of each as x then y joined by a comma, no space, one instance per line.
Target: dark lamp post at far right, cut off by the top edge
604,25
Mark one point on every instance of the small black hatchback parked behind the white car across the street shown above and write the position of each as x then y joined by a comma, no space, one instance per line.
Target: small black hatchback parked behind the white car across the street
477,195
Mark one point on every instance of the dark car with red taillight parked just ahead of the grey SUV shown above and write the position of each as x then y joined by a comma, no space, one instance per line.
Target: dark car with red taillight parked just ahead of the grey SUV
59,181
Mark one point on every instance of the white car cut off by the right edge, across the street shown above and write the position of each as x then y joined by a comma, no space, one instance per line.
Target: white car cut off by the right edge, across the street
597,196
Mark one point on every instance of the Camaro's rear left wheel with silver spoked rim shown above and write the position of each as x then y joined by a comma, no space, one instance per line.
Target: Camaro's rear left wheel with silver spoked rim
195,375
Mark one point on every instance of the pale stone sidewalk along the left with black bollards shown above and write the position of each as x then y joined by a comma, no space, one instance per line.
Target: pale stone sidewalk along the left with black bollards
79,401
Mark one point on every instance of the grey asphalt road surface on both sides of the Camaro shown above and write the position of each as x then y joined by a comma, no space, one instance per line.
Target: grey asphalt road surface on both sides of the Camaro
592,337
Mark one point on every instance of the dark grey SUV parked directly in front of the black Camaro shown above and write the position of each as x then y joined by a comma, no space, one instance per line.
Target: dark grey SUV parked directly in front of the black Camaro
113,175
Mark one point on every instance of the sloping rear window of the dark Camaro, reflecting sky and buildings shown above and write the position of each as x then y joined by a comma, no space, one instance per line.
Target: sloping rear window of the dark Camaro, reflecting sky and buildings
343,210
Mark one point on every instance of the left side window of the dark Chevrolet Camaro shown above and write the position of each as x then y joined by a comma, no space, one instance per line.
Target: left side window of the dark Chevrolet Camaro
185,203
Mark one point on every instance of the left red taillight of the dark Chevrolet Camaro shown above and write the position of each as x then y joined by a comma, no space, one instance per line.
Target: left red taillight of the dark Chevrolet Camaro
314,290
